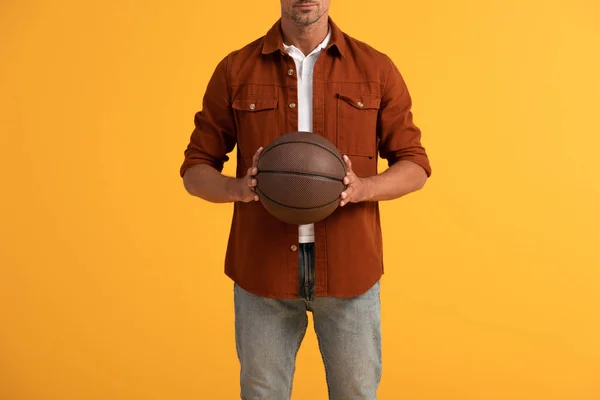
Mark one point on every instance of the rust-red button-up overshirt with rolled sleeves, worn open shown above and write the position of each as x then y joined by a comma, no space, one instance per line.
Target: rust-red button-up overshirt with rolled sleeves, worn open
360,103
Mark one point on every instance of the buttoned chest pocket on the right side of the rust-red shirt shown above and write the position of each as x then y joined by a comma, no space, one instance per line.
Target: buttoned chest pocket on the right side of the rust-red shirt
357,123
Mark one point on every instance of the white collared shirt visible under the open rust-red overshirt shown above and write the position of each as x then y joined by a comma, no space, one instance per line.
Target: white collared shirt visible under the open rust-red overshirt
304,74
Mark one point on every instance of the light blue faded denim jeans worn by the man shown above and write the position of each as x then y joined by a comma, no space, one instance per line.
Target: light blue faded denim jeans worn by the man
269,333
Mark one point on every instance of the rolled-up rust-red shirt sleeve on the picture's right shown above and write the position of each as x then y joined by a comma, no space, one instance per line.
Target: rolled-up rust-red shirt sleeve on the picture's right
399,137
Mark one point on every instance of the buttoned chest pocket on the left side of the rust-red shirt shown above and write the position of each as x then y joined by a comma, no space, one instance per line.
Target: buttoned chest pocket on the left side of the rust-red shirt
256,124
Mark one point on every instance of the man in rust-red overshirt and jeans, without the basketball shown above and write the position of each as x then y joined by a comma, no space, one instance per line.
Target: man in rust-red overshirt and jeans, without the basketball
306,74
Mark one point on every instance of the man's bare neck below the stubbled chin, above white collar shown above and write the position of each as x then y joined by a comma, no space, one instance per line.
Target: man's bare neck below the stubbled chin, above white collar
305,38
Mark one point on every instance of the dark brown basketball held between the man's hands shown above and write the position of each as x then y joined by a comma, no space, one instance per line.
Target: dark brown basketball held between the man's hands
300,177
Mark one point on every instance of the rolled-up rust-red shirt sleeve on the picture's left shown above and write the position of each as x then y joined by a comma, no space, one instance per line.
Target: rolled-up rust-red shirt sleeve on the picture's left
214,134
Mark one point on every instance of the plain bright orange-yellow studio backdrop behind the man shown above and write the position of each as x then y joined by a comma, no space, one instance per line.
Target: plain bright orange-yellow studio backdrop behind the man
111,277
